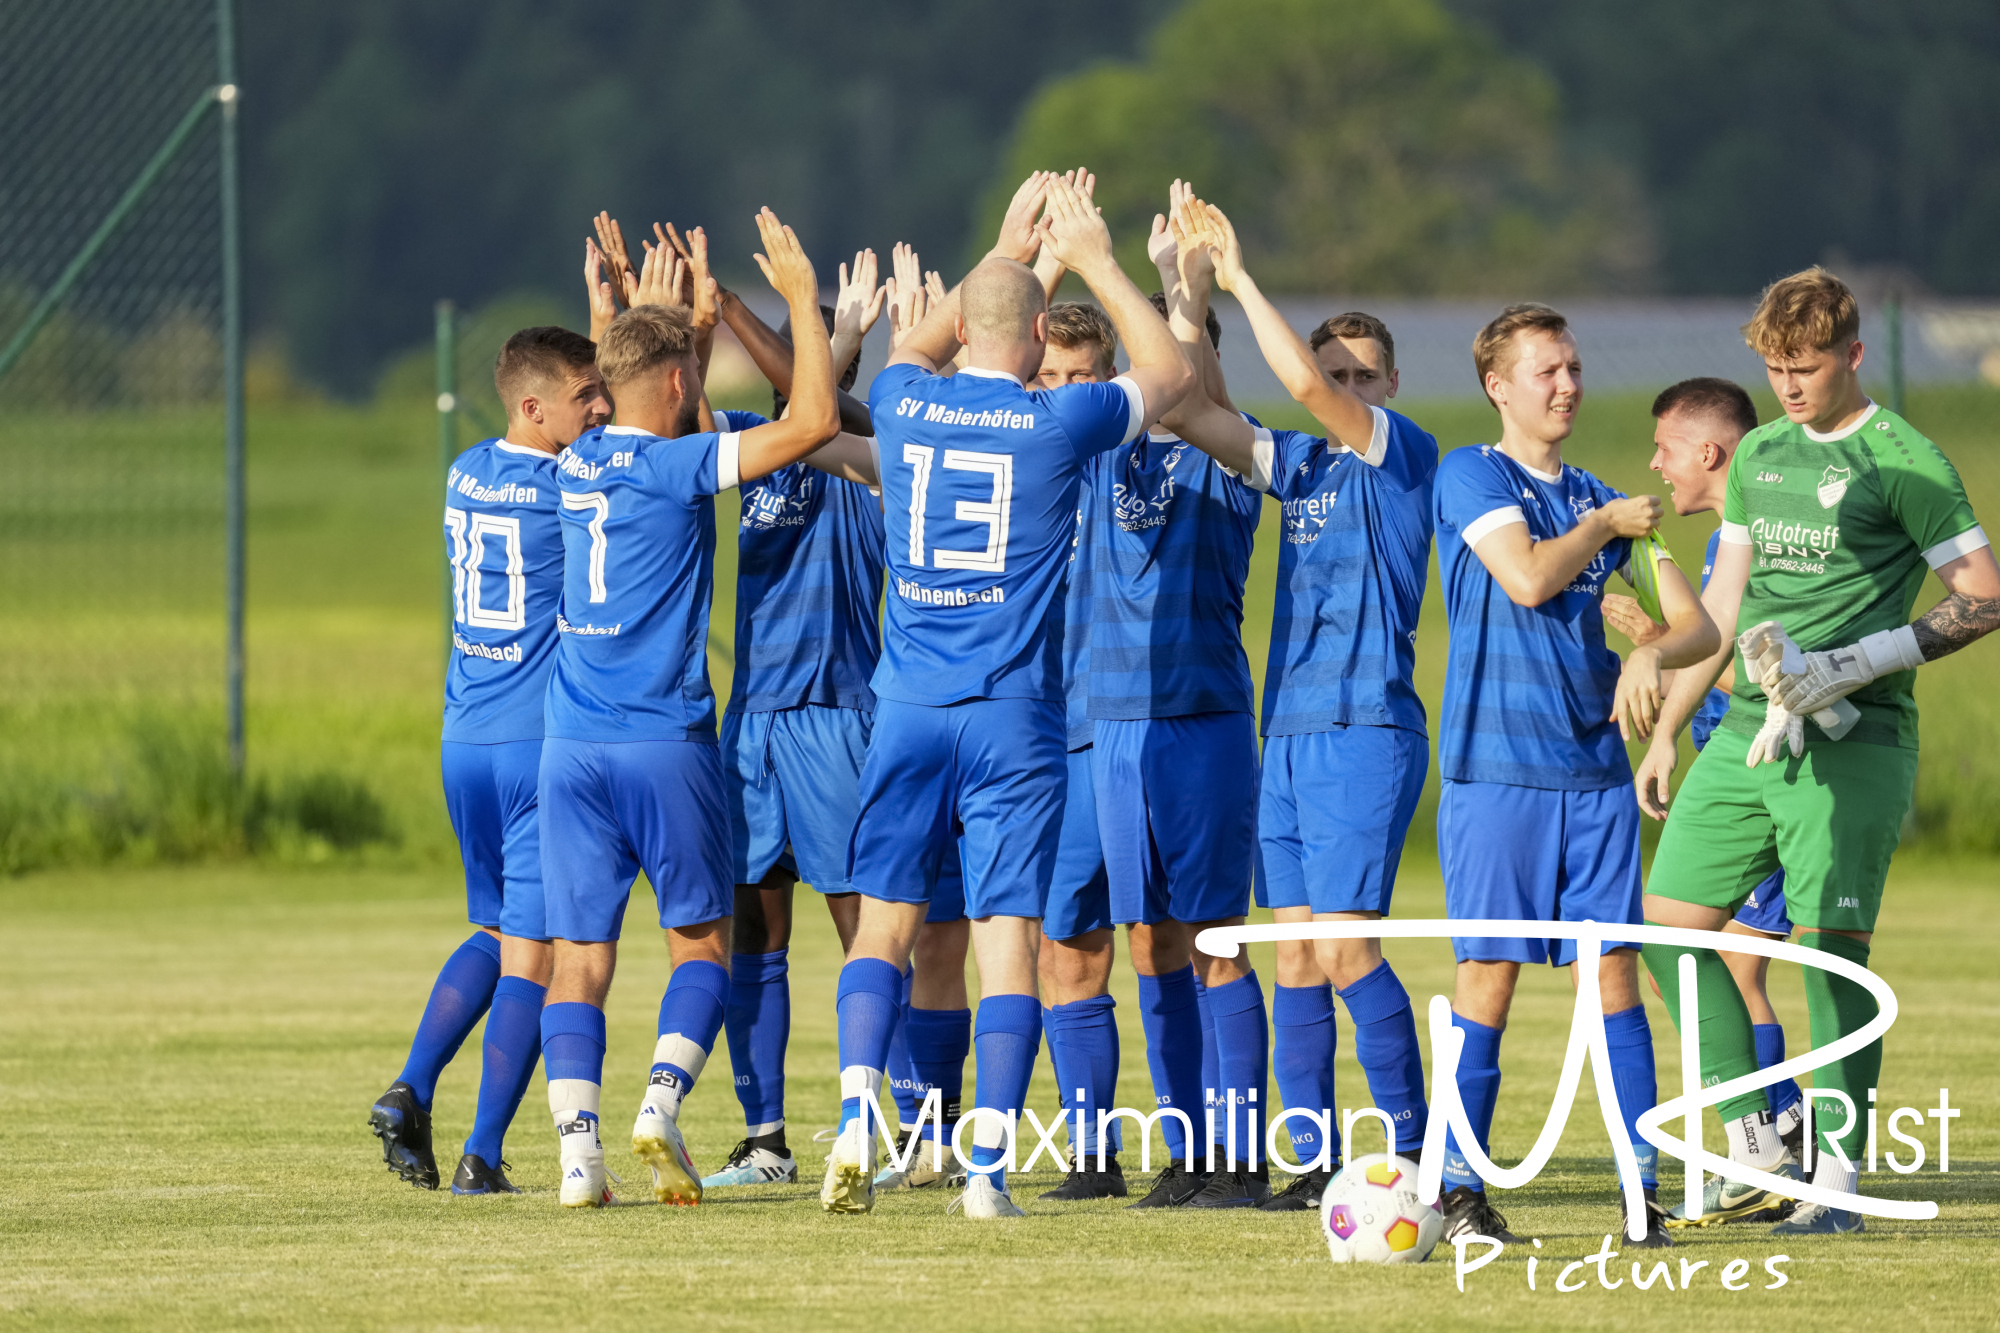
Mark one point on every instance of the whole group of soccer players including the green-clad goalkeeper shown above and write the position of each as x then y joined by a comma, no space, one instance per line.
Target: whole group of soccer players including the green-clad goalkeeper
991,698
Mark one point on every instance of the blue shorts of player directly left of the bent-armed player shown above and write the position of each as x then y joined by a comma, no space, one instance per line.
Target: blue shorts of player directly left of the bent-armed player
1333,814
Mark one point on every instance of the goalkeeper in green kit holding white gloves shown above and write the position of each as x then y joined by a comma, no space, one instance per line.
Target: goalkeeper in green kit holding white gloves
1831,521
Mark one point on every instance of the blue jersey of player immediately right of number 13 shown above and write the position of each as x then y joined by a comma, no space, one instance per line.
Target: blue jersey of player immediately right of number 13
1169,535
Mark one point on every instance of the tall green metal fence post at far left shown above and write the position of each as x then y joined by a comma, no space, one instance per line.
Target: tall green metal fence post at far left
233,375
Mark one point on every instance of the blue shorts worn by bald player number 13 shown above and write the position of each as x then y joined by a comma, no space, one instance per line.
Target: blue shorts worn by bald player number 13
989,768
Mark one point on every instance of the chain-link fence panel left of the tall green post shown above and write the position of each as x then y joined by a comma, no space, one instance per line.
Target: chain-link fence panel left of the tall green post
117,353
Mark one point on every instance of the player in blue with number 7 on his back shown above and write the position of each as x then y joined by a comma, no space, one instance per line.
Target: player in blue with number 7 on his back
631,770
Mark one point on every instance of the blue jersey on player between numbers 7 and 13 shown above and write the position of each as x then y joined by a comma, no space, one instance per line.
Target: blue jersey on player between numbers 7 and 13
809,589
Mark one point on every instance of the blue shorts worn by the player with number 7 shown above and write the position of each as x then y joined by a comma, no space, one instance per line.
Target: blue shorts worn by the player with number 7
615,810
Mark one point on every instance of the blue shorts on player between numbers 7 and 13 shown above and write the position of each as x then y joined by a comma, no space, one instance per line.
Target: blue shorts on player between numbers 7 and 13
795,784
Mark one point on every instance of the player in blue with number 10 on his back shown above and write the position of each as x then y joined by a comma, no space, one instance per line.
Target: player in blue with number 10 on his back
505,545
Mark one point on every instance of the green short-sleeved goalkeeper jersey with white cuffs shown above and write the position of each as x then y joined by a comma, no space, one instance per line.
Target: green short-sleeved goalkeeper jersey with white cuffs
1841,531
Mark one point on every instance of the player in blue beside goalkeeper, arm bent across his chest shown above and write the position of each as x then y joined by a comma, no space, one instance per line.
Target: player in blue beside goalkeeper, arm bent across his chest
1537,822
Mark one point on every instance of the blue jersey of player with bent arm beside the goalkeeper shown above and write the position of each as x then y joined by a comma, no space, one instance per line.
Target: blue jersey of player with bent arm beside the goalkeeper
1527,690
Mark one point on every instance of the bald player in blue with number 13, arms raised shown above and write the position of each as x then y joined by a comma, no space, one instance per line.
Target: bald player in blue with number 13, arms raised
979,479
